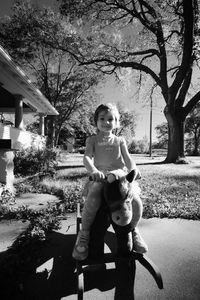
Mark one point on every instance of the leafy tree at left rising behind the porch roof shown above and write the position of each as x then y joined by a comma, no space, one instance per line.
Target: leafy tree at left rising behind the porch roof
66,85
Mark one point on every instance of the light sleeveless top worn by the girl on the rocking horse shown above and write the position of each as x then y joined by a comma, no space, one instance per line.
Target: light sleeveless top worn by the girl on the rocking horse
106,152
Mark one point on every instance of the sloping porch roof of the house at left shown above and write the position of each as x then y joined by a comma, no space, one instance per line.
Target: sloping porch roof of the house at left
15,83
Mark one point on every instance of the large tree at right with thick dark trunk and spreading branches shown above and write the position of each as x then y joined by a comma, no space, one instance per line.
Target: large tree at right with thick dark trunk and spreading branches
155,38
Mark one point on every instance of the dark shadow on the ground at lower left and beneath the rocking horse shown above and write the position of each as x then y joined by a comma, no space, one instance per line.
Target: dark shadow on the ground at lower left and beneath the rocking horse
61,280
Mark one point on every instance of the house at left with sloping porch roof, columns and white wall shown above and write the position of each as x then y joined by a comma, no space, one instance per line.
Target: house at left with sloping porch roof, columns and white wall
18,96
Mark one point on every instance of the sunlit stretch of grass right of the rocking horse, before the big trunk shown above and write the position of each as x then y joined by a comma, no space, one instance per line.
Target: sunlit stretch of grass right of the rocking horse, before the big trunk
171,190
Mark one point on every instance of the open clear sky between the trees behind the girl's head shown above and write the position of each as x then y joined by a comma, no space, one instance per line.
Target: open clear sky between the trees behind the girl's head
111,91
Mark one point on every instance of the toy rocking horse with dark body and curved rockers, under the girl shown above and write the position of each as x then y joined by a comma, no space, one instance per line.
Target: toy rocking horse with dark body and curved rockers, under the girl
116,209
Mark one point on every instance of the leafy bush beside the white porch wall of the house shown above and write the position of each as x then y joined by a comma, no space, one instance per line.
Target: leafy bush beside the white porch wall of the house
32,161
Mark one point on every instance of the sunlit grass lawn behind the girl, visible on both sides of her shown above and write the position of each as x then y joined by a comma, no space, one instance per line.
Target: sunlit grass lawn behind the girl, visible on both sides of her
168,190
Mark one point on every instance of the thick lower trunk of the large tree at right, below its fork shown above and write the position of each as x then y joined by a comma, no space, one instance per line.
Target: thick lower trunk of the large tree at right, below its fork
175,138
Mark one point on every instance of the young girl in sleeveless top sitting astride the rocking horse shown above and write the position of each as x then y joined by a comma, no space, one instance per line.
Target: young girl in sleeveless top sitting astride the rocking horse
106,155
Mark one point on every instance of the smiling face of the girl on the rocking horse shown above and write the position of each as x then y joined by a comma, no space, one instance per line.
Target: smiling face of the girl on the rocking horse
106,121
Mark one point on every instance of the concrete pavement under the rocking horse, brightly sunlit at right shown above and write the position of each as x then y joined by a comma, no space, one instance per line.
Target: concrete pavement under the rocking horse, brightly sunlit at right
174,246
